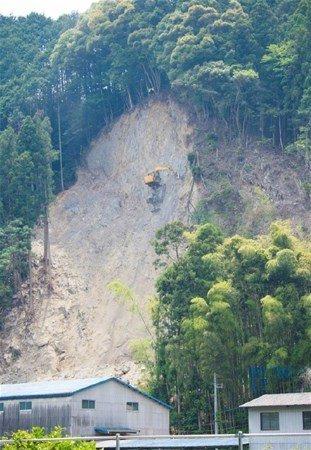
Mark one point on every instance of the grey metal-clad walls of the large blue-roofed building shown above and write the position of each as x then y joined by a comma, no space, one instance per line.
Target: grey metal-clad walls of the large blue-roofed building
110,400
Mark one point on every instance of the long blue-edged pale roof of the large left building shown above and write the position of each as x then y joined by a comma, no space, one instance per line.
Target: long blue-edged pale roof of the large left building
61,388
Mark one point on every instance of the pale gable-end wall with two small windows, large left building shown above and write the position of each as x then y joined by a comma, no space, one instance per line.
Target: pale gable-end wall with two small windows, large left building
110,410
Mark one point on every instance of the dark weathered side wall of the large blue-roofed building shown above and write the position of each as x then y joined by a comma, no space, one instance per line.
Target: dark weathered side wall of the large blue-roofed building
47,413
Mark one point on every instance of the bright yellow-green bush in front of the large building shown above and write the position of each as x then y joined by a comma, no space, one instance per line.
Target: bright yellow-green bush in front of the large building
24,440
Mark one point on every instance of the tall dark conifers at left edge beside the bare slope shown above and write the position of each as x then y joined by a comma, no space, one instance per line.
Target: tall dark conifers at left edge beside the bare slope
25,191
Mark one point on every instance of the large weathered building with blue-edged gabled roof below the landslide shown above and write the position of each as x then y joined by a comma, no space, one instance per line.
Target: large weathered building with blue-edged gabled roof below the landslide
82,407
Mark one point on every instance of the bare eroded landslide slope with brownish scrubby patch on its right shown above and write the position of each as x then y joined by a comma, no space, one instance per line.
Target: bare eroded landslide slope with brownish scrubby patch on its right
101,229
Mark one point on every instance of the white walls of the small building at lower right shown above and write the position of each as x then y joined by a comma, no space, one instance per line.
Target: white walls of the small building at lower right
290,421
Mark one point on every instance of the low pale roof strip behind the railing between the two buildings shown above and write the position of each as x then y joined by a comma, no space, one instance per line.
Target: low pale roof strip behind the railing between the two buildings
209,441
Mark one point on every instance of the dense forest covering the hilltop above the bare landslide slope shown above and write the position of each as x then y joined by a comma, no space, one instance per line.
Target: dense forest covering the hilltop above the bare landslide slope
246,63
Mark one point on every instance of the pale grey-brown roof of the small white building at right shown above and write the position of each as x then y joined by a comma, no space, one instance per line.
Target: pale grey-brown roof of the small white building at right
294,399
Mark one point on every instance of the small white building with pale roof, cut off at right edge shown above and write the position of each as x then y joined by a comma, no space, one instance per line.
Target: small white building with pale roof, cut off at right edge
273,415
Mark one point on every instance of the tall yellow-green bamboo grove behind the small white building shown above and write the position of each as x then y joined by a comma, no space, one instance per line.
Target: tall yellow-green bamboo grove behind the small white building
226,305
